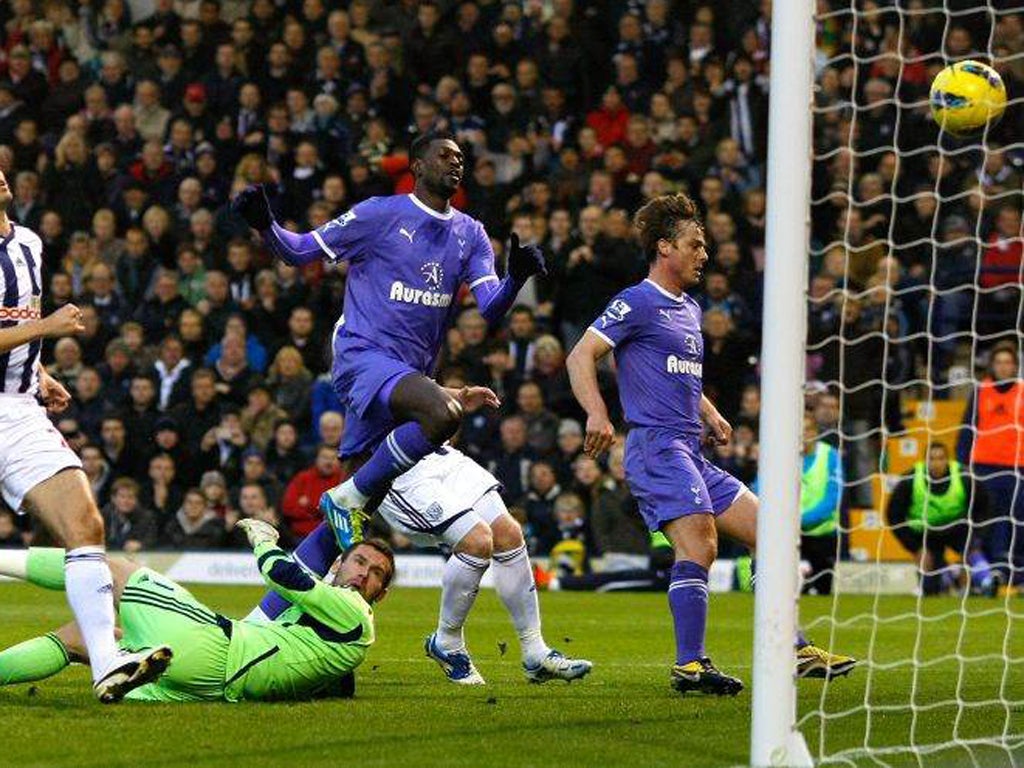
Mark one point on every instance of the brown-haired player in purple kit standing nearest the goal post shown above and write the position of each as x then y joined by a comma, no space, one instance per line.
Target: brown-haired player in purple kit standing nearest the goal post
655,330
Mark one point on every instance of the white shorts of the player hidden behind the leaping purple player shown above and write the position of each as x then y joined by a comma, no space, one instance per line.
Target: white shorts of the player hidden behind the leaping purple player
440,500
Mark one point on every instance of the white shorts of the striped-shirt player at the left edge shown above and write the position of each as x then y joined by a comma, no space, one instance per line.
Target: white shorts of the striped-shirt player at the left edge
31,449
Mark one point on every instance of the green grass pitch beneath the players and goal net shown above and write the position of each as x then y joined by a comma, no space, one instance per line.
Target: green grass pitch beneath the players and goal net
406,714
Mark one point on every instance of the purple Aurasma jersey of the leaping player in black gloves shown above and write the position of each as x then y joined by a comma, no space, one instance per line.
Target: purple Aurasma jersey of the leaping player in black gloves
407,264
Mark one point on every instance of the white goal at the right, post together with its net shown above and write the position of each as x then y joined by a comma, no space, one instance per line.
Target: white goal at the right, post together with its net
941,675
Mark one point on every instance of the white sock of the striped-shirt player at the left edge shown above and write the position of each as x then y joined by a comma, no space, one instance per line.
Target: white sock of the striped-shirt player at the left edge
91,593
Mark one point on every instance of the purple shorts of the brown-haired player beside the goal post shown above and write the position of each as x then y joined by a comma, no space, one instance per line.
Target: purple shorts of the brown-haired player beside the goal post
670,479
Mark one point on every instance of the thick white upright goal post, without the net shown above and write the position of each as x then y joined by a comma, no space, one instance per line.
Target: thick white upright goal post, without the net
775,739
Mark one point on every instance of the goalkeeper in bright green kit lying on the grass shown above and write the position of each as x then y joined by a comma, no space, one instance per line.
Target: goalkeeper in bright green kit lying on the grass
308,653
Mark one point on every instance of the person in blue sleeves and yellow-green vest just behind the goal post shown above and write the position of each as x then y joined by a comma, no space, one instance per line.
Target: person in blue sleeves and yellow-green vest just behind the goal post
821,496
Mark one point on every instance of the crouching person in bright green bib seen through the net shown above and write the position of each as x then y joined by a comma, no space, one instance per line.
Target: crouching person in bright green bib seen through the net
935,506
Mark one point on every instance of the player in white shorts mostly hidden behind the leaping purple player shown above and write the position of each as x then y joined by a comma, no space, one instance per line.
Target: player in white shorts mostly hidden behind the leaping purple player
448,499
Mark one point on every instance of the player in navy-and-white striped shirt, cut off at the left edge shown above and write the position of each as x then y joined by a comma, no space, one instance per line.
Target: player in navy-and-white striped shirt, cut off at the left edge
39,474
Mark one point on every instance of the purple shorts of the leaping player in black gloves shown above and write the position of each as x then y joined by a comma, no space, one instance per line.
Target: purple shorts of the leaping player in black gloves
364,379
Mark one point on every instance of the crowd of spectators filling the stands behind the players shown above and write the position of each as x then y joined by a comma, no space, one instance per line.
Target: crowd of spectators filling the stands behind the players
201,387
